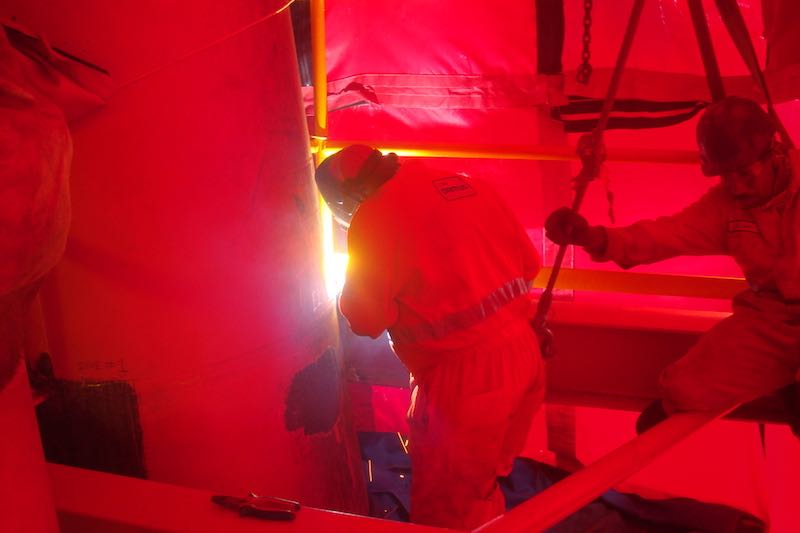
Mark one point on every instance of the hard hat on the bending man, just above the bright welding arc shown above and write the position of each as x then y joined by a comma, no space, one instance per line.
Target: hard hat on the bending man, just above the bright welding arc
342,176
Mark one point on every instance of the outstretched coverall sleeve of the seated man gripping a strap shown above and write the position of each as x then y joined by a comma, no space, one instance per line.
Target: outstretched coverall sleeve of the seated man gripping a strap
699,229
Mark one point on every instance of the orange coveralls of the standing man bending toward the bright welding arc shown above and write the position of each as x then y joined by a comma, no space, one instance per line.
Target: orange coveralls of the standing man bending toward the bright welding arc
440,261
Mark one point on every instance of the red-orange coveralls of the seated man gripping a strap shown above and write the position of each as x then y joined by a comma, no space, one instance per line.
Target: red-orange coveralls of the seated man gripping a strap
757,349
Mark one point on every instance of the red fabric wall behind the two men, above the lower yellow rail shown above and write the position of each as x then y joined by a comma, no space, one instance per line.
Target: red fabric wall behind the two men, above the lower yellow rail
400,74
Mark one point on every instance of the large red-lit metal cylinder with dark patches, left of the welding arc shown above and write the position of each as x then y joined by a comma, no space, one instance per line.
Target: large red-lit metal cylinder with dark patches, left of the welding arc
188,321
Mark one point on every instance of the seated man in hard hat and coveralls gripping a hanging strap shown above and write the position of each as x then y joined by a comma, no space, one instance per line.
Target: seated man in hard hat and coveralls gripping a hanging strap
753,215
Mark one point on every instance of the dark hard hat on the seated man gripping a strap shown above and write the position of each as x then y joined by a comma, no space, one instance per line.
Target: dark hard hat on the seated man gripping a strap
733,133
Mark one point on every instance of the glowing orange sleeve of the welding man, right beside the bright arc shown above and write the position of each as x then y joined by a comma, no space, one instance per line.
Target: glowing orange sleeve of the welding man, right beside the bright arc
367,299
